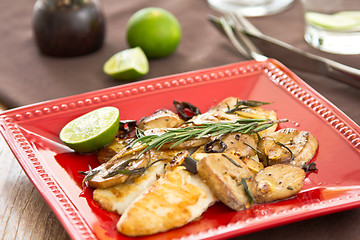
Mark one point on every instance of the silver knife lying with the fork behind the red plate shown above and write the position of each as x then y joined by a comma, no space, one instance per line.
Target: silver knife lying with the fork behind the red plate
296,58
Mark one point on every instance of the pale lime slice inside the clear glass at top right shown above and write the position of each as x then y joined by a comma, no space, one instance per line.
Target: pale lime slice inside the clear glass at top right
331,22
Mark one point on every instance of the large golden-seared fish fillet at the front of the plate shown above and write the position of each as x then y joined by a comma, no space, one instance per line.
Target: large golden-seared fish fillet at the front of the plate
173,201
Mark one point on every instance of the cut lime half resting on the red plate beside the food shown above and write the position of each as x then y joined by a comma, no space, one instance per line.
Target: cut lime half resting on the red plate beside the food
92,130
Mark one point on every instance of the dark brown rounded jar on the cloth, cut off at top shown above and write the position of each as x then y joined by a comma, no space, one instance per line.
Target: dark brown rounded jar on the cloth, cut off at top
68,28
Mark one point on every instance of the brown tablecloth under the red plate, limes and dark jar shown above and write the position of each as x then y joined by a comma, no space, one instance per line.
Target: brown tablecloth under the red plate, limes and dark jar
28,77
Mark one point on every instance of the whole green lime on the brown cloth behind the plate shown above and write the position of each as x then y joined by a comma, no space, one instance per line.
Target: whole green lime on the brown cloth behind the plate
155,30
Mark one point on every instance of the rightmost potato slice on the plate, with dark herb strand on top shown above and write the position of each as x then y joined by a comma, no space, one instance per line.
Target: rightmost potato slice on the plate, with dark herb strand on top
288,146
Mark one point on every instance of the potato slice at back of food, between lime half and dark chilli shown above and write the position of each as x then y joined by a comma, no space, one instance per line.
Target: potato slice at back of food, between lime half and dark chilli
160,119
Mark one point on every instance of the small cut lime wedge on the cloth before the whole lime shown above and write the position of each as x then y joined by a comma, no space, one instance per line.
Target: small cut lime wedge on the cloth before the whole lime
129,64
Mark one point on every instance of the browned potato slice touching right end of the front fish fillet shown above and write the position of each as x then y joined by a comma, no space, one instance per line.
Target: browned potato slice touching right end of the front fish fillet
223,173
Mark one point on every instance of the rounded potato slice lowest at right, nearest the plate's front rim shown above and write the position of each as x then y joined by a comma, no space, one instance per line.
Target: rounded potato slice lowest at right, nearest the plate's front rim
277,182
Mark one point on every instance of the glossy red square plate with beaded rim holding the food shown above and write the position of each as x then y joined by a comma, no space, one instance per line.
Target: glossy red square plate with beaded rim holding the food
32,134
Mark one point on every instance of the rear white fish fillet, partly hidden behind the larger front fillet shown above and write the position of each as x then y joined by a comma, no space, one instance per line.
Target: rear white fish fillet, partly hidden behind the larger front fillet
119,197
